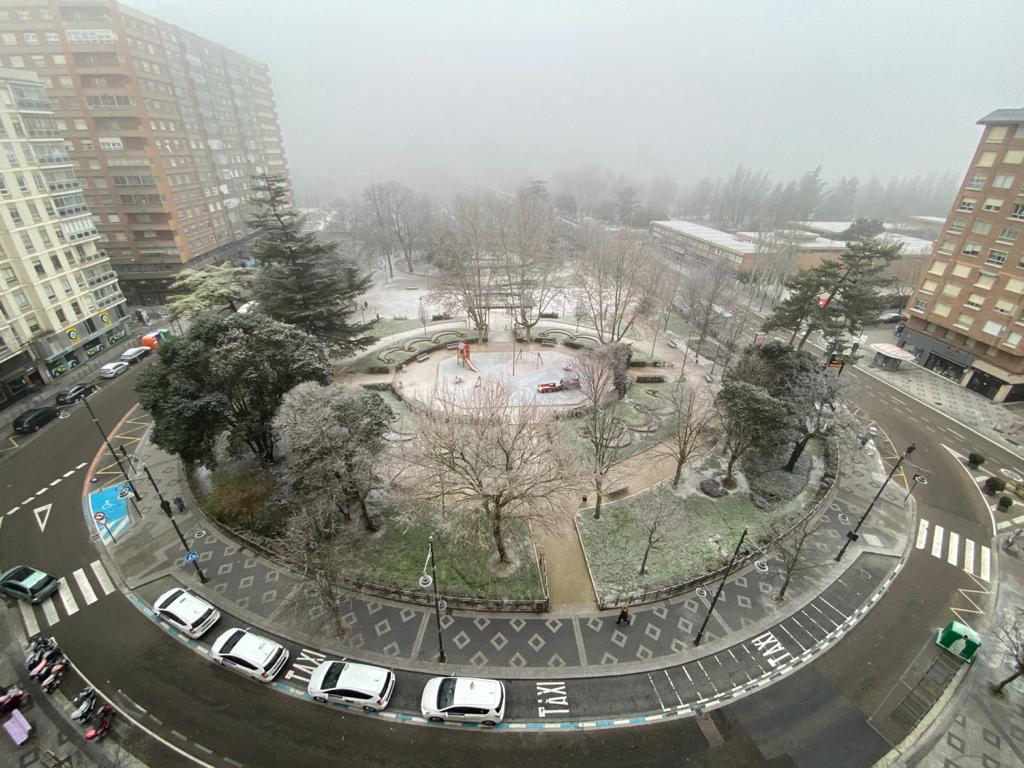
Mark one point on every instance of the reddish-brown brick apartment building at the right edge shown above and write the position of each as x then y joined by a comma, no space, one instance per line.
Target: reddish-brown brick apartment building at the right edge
966,315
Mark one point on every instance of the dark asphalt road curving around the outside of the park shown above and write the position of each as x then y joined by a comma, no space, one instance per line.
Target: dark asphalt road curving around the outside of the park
219,716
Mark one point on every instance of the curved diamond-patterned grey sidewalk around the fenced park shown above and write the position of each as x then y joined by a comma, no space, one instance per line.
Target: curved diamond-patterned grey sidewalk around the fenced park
580,643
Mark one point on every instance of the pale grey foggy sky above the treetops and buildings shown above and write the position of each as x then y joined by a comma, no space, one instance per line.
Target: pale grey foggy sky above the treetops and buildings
443,94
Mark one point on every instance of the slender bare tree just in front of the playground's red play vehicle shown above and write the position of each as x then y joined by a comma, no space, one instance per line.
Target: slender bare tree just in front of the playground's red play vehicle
604,425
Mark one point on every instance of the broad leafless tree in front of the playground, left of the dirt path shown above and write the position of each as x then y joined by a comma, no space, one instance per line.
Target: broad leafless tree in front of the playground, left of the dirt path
488,463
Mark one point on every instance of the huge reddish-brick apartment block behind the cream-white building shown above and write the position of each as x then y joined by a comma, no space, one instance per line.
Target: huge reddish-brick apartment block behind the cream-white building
165,130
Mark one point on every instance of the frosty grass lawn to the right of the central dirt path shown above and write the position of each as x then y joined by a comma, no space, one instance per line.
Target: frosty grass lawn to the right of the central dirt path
700,536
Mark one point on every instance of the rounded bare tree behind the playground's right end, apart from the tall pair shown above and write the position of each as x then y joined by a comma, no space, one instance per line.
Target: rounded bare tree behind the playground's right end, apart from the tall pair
617,275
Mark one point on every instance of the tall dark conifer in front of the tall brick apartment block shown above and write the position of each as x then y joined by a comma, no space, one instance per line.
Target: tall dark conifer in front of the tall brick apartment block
303,280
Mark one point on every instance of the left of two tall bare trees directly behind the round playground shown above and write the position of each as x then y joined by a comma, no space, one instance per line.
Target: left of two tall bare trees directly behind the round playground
467,263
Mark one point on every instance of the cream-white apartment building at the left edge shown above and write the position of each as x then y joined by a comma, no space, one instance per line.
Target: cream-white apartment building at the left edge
60,302
